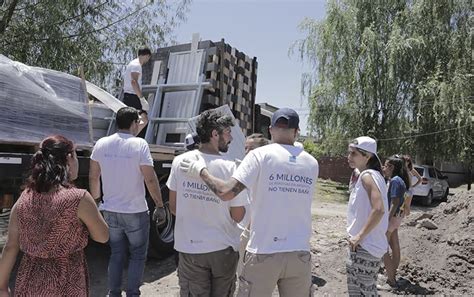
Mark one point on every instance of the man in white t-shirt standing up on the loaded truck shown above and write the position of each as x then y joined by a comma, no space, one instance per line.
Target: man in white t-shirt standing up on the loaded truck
132,85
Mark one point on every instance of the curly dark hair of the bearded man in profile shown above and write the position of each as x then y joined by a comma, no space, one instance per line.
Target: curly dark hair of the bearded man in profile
211,120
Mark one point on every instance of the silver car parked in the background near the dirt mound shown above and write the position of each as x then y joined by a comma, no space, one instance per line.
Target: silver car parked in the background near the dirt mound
434,185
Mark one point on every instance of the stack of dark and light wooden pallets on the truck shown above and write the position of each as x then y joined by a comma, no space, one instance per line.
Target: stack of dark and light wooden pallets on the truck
232,73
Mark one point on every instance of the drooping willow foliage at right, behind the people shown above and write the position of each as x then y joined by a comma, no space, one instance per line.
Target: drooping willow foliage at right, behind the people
399,71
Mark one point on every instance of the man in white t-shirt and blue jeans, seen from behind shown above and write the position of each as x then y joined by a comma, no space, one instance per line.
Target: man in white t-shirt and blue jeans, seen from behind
124,162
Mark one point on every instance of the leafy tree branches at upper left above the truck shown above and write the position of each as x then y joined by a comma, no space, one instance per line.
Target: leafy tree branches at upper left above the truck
102,36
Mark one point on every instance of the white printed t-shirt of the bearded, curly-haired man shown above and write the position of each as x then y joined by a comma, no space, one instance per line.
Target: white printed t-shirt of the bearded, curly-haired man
203,222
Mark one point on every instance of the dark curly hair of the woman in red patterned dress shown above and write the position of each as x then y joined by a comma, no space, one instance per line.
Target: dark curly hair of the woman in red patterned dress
49,165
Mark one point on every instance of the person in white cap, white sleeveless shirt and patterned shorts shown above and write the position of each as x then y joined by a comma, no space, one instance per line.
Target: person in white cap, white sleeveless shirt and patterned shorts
367,218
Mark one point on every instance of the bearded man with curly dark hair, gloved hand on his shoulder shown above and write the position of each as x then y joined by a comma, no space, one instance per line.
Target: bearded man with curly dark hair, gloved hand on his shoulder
206,234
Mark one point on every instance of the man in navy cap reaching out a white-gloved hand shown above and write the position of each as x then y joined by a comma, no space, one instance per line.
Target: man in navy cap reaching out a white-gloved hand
281,179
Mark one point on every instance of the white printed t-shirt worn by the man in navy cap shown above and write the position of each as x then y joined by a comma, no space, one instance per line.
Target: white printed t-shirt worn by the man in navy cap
281,180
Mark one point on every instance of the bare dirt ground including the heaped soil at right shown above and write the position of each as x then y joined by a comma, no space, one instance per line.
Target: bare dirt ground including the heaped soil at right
433,261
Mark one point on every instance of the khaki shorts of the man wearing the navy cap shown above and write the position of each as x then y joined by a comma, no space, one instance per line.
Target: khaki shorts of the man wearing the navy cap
291,271
